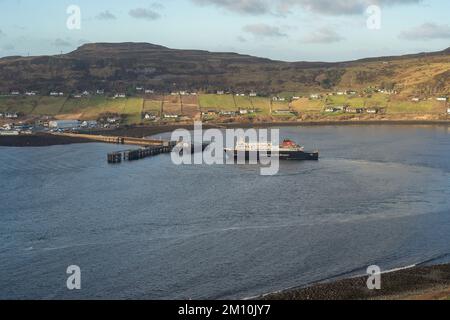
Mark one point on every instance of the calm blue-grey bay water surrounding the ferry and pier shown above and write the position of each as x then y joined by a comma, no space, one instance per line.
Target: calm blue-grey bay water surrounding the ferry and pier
148,229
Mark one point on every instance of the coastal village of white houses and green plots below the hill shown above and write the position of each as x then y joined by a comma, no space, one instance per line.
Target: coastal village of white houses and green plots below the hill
58,111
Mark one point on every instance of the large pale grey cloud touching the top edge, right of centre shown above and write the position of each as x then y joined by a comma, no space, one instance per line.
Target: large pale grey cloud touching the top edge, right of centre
325,7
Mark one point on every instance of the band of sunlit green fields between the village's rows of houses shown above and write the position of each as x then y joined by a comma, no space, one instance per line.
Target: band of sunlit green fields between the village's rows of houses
91,108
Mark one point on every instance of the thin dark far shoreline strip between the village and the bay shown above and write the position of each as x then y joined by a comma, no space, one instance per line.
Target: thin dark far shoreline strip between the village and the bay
45,140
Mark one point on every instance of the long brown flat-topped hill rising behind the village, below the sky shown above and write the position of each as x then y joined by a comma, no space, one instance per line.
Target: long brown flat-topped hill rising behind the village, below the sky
123,66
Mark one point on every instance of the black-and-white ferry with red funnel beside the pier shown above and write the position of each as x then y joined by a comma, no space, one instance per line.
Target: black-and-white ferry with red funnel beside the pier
288,150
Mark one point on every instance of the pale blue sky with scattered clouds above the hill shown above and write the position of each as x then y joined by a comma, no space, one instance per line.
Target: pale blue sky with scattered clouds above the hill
288,30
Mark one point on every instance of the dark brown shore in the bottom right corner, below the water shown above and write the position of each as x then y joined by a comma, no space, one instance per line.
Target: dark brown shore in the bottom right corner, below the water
418,283
